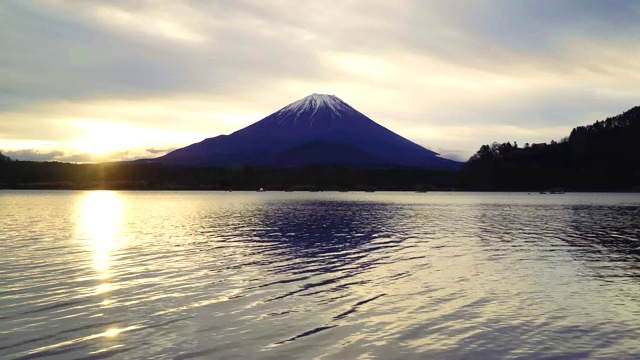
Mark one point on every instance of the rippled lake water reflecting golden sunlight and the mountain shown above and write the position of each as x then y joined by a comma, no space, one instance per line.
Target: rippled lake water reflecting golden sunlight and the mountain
318,275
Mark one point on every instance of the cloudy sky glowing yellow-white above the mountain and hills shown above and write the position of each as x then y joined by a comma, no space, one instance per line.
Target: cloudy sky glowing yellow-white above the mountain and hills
88,81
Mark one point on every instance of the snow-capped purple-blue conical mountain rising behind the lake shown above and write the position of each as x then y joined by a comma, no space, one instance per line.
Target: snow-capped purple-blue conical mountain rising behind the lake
318,129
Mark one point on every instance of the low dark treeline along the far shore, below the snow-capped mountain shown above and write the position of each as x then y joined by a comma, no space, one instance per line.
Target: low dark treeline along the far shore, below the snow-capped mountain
58,175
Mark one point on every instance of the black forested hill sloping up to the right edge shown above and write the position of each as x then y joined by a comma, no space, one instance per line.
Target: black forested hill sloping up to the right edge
604,156
